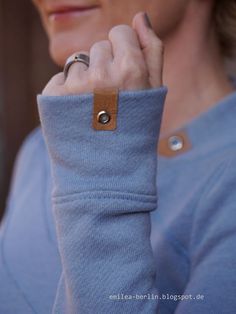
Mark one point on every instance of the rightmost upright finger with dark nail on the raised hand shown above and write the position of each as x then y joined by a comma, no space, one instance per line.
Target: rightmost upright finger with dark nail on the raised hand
151,46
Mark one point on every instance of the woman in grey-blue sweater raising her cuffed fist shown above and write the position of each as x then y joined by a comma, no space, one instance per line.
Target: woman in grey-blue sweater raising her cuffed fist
101,120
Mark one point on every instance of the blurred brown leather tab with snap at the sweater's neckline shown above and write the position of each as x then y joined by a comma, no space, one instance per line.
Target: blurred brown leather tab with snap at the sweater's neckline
164,147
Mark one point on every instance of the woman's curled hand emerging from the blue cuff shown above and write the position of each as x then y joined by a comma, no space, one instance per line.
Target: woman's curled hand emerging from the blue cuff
131,59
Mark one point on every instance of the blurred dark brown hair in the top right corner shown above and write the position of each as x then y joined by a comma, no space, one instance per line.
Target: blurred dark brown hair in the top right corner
225,21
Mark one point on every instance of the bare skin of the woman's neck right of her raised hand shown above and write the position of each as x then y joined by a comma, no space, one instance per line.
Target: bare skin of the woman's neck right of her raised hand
193,72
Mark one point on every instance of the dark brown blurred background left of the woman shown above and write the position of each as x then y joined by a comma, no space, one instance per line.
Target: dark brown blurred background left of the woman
25,67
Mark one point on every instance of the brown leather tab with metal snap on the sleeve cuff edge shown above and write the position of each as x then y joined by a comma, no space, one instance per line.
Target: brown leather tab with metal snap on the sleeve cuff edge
105,106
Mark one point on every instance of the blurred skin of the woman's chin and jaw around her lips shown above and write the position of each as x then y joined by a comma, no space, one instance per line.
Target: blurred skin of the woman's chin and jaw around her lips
82,33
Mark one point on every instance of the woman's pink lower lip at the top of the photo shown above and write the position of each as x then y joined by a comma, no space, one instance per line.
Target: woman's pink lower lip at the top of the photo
68,15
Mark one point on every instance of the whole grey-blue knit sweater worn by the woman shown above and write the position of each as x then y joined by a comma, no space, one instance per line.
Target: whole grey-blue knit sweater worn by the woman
121,233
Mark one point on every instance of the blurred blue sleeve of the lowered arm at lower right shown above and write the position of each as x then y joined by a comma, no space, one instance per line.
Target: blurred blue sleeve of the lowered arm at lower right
212,280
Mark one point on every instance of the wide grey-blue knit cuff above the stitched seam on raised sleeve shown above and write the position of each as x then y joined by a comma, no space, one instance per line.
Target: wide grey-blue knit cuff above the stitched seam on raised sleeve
84,159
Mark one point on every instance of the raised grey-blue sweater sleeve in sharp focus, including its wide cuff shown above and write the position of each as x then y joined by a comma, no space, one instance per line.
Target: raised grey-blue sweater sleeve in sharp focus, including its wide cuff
104,187
